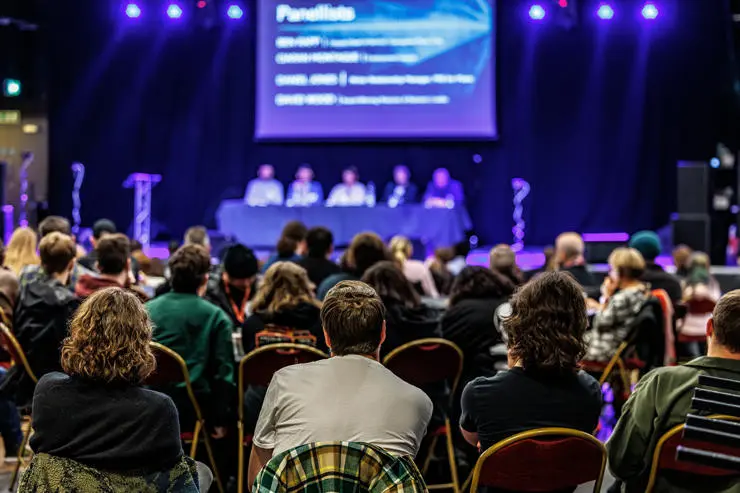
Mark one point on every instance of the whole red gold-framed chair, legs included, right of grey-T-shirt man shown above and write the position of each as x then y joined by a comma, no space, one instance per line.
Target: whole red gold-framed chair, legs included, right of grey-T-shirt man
428,361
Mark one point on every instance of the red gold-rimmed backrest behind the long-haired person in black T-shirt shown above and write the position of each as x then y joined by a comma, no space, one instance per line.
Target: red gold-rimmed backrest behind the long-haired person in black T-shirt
544,459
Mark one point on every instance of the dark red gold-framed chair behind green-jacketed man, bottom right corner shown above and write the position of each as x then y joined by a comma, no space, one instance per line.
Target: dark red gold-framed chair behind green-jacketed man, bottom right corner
664,455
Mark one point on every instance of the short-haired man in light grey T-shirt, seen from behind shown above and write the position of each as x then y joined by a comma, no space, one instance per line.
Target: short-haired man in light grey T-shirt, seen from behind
349,397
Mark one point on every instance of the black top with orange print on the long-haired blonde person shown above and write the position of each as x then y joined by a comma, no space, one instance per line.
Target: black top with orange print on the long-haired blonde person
304,316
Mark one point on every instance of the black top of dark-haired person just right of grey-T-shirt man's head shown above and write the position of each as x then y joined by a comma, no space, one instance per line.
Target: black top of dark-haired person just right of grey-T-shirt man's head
404,324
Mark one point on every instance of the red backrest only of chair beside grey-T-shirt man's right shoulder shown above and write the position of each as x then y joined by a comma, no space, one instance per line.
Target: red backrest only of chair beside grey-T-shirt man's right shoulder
426,361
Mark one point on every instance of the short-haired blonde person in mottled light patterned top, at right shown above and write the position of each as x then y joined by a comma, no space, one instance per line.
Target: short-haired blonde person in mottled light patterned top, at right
625,296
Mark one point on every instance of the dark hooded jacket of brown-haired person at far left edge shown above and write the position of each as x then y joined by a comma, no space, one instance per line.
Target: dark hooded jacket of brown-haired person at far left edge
40,324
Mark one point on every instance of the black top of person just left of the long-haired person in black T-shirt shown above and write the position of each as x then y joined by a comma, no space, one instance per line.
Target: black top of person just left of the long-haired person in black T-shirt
469,324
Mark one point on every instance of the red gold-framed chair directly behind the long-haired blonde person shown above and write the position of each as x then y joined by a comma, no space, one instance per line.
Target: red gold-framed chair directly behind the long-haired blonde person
256,369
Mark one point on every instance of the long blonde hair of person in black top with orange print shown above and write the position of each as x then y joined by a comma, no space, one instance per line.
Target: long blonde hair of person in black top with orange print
285,285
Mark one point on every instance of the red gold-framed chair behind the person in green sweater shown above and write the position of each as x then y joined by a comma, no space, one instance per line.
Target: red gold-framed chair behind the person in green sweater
172,370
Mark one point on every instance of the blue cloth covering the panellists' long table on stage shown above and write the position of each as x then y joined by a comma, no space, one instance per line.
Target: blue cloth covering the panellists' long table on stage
261,226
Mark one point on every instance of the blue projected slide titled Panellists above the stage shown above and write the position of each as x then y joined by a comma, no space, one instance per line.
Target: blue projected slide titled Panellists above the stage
374,69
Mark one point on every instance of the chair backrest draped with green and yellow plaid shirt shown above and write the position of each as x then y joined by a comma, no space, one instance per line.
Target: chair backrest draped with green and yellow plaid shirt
342,467
